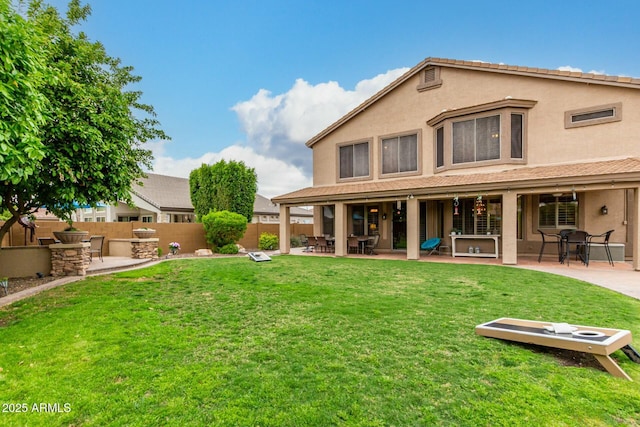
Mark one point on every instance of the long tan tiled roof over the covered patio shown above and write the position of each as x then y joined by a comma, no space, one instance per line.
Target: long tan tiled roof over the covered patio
605,172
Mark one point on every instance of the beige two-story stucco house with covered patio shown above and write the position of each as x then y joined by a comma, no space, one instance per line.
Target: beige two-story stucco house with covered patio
493,151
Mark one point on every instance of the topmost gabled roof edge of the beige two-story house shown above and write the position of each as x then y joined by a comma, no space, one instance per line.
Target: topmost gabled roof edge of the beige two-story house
590,78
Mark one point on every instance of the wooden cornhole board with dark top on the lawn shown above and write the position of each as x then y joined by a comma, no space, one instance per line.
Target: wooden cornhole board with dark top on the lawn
600,342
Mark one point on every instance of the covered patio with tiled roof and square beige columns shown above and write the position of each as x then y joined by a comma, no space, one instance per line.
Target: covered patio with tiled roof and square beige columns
507,206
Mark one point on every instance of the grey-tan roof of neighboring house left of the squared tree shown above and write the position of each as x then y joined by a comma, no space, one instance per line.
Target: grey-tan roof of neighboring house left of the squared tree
167,193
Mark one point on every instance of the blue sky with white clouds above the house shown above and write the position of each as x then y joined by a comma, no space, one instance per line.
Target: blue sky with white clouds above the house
254,80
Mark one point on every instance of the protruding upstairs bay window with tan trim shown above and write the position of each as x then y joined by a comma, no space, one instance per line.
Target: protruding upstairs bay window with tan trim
483,134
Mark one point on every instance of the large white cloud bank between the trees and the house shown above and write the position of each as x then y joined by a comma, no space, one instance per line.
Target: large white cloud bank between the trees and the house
276,128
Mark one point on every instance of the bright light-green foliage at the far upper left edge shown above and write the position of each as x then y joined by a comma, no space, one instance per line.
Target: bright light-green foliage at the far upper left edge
22,105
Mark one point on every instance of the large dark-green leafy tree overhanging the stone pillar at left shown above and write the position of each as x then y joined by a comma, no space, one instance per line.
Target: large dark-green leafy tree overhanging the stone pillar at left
91,138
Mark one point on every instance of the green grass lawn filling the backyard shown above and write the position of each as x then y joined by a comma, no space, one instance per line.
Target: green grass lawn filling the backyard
303,341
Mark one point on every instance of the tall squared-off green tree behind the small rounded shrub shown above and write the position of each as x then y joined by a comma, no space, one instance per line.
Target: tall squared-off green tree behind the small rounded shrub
230,186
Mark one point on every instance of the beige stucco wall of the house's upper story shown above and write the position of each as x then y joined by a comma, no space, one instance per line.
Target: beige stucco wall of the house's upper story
405,109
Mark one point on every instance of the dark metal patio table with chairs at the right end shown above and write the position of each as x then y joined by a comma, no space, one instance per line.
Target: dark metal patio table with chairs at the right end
577,243
